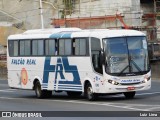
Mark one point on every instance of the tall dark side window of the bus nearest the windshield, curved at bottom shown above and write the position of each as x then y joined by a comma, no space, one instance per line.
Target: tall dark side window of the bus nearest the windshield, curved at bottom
95,52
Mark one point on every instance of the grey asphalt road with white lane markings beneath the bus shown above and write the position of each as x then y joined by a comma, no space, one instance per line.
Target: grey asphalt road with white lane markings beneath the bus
25,100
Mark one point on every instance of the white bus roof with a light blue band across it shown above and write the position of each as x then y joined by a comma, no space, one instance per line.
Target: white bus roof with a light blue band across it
74,33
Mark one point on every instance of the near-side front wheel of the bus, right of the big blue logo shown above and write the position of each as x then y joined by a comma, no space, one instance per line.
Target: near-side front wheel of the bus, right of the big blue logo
89,93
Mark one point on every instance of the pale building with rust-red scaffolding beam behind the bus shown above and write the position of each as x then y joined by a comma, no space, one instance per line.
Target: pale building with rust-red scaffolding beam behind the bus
133,14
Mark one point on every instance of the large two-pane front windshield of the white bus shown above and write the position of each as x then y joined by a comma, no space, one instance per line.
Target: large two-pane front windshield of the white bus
126,55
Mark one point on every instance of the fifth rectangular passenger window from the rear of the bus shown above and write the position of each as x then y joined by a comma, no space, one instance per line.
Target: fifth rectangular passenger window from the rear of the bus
65,47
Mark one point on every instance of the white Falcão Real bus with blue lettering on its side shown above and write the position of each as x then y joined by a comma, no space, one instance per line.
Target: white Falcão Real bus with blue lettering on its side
93,62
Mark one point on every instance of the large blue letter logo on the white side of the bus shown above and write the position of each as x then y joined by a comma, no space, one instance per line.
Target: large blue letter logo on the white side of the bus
61,68
